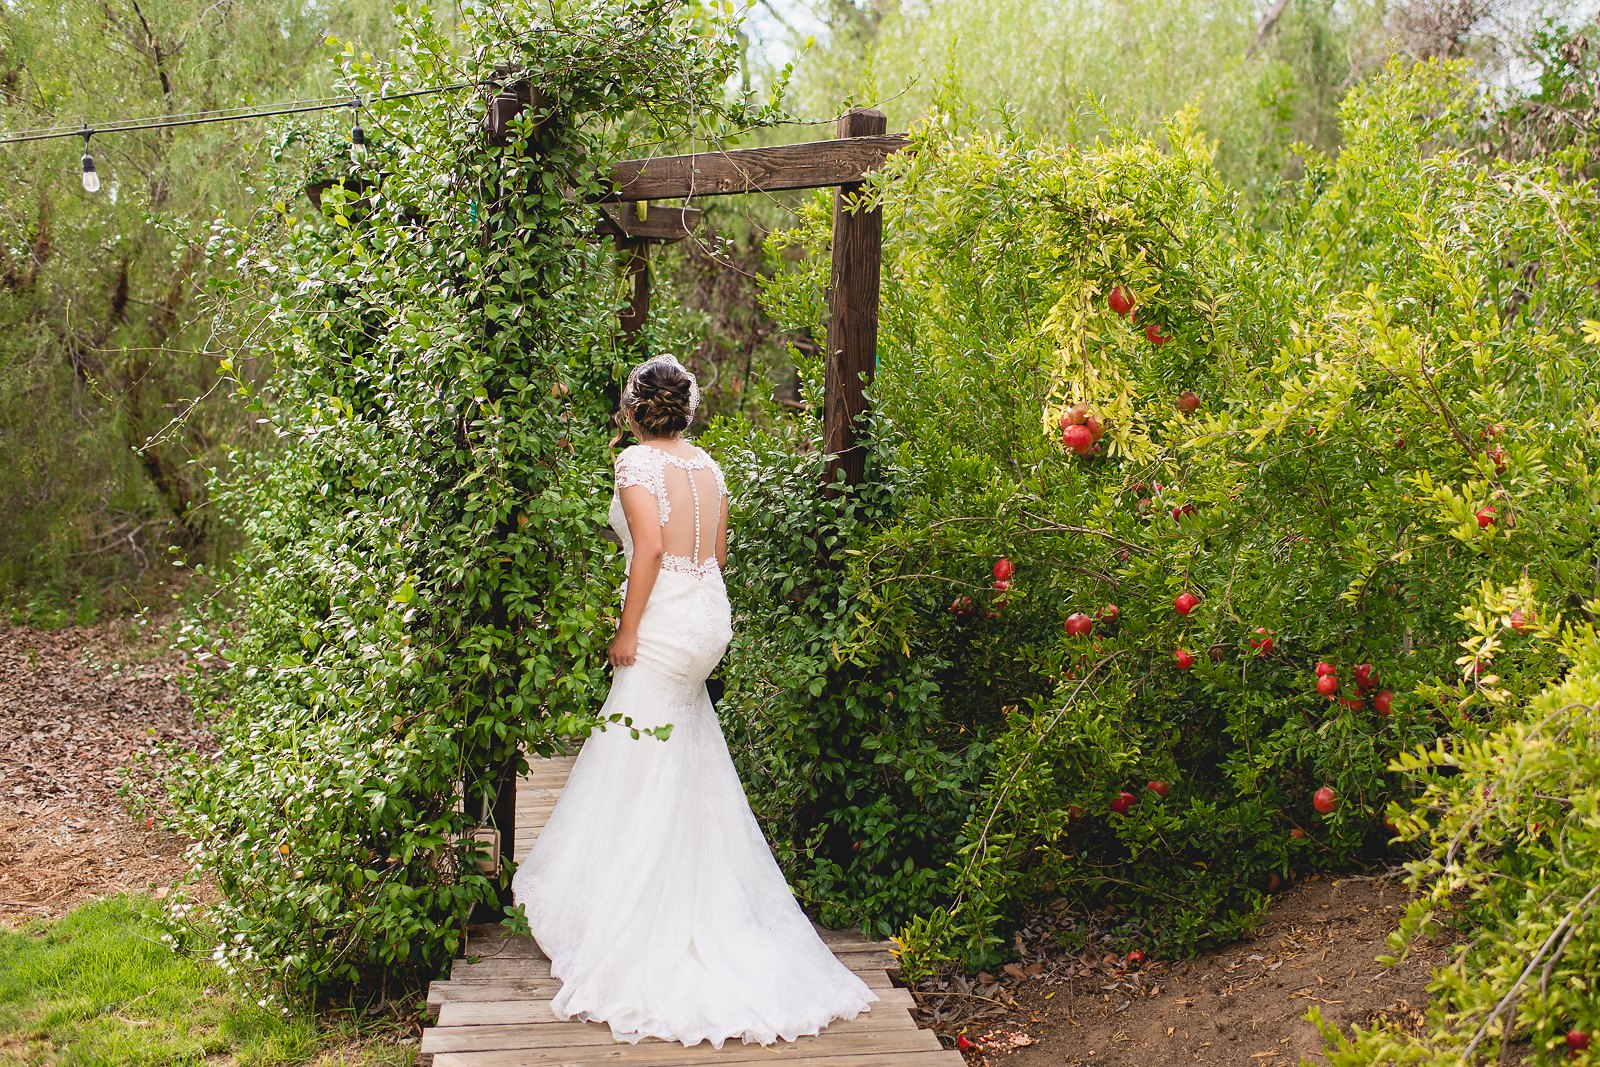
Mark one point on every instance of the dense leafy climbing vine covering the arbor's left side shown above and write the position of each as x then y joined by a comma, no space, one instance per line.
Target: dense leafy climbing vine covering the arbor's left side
425,589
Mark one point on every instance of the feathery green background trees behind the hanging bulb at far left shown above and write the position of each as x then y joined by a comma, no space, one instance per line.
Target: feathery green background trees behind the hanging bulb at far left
105,343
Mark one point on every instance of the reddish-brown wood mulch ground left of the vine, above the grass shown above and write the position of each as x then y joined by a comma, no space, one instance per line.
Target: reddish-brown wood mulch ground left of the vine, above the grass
76,706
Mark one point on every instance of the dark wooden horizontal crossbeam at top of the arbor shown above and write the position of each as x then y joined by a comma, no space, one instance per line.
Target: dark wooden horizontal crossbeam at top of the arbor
814,166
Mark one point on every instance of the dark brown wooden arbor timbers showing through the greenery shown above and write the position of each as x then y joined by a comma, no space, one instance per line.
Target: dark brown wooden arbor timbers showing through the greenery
842,164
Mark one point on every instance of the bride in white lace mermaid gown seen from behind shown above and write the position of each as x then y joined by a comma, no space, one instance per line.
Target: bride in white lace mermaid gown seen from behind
652,889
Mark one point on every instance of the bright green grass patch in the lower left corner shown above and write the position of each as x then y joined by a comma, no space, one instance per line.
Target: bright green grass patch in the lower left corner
98,986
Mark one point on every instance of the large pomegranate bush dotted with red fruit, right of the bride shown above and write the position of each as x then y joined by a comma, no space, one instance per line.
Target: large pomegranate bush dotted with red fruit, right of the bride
1398,354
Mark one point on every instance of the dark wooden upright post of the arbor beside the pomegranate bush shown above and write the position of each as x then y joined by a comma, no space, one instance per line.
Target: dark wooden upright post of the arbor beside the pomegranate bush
852,358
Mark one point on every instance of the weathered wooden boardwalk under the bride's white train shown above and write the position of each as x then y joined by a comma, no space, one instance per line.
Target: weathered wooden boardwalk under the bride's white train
495,1009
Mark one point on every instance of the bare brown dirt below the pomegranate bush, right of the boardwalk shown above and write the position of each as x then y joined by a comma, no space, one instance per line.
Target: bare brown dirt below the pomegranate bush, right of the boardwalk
1241,1005
